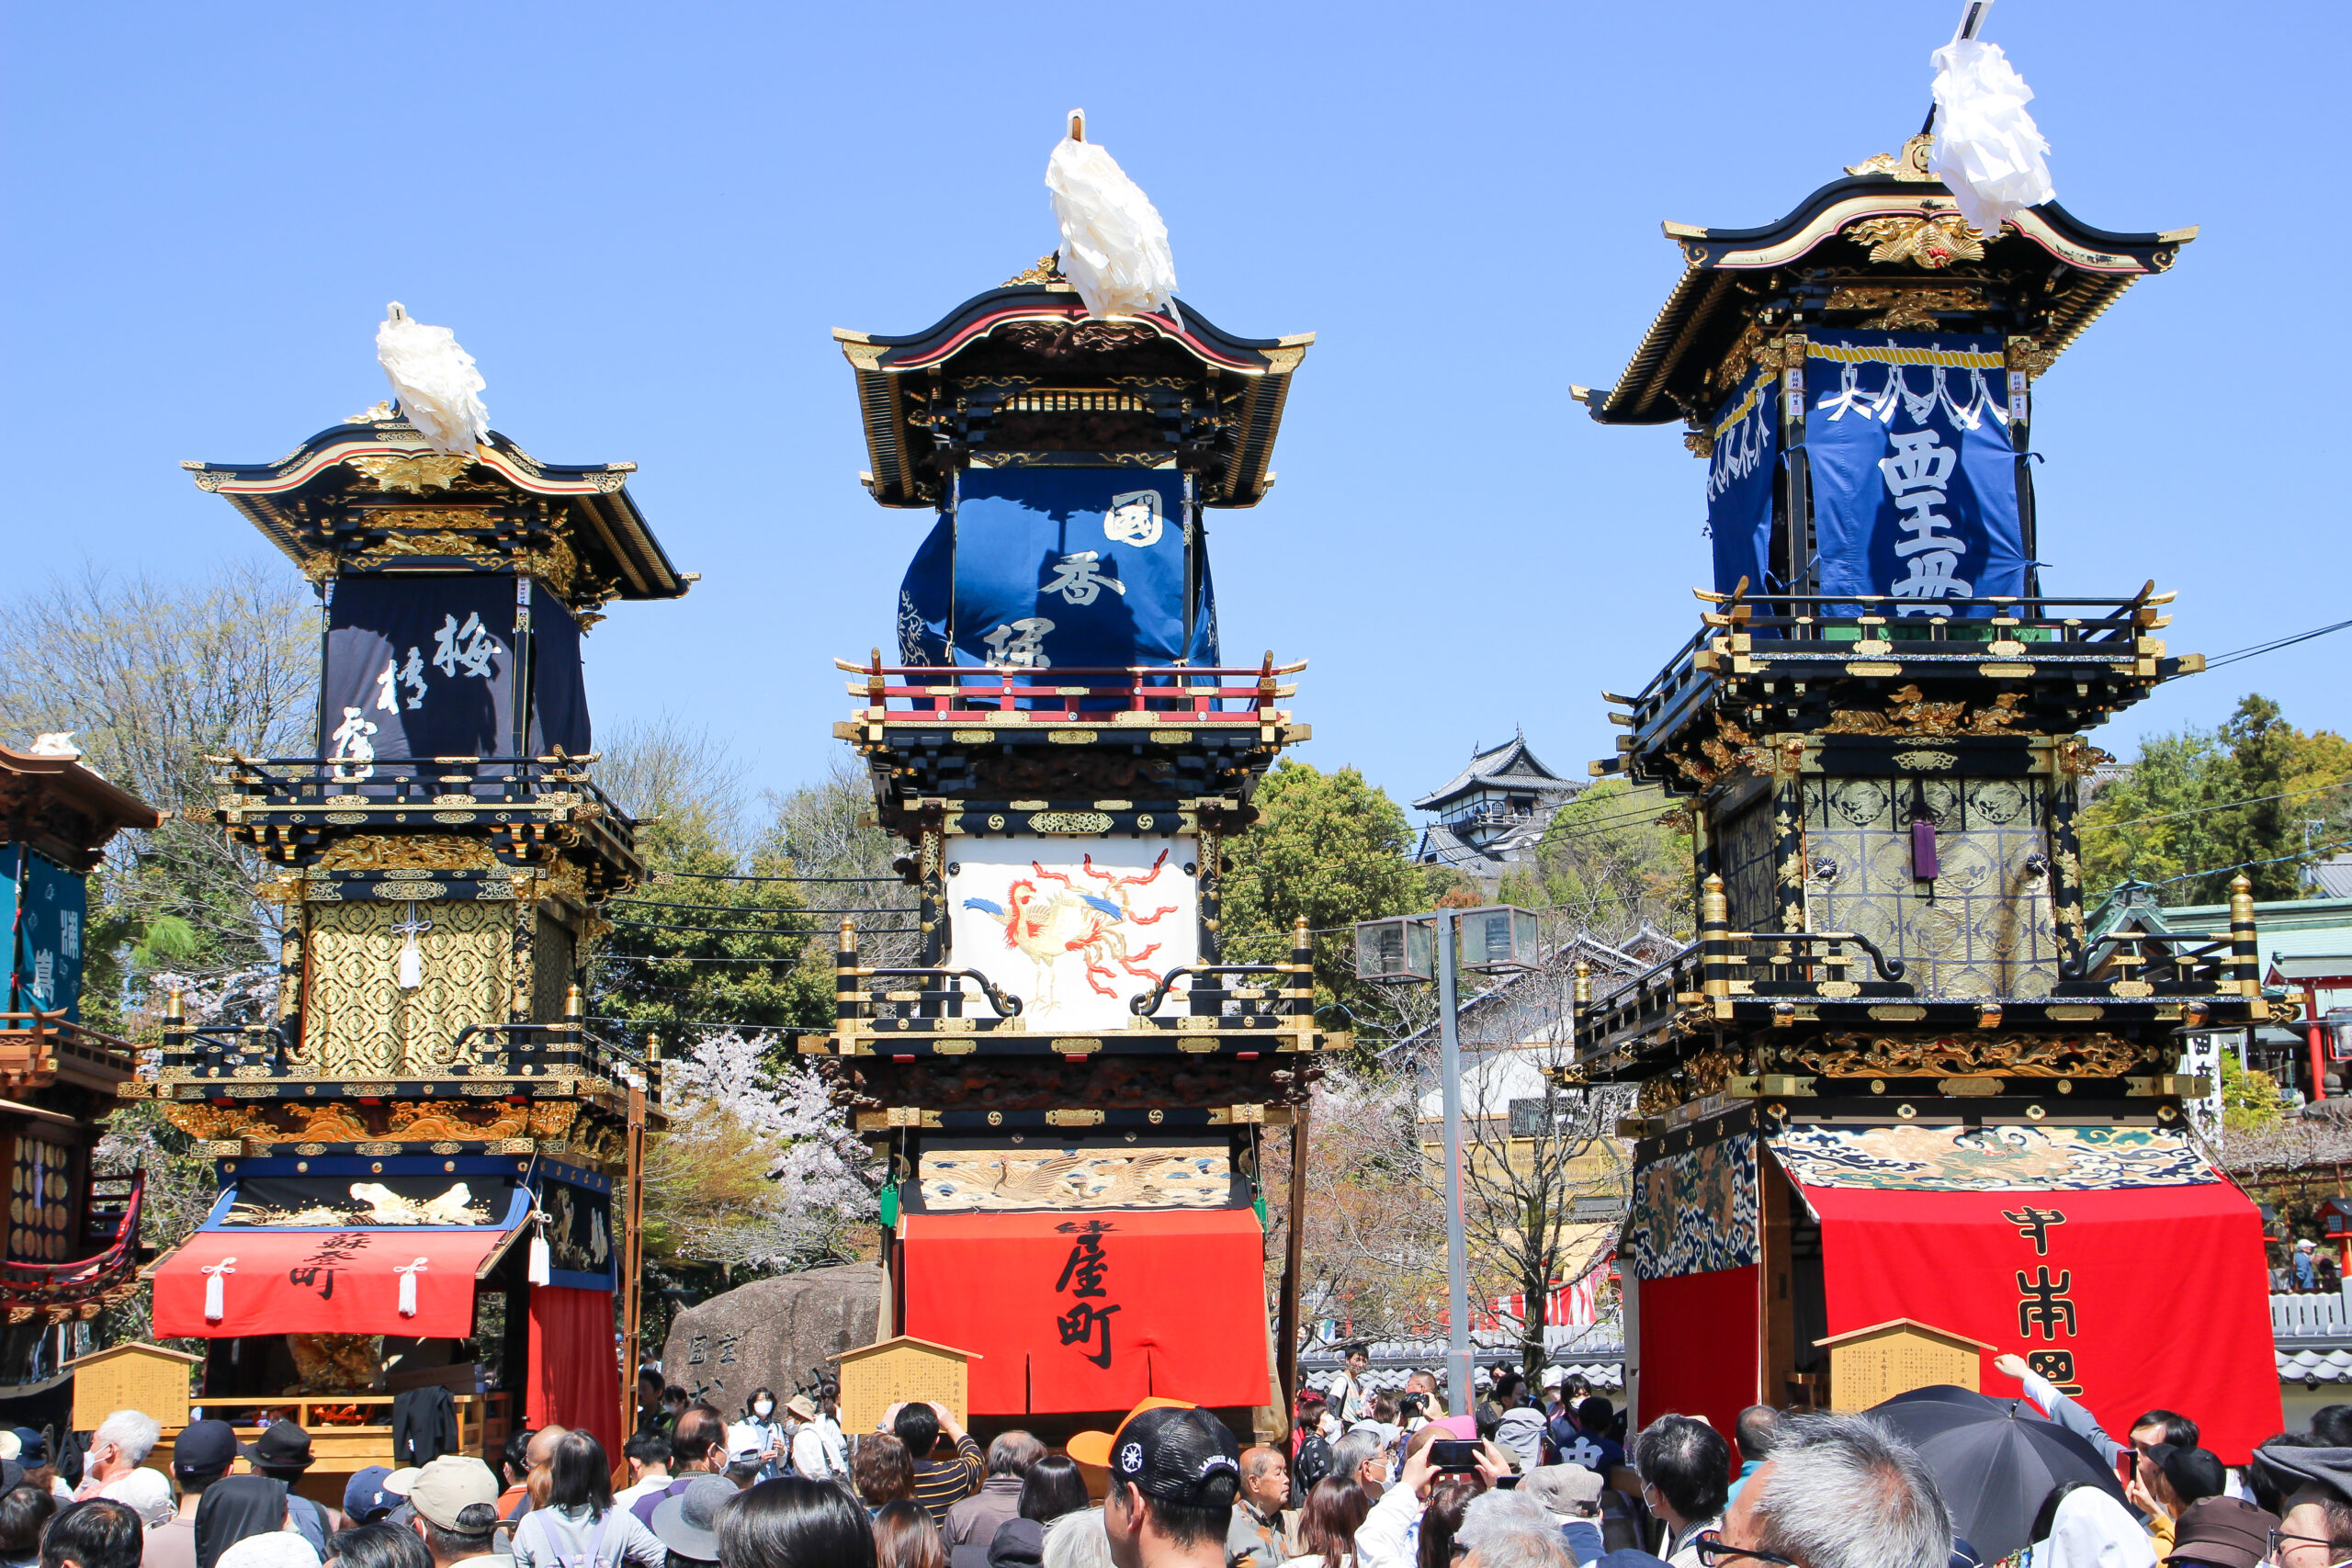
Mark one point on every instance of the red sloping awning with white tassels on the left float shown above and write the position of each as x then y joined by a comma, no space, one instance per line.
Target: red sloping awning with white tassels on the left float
323,1282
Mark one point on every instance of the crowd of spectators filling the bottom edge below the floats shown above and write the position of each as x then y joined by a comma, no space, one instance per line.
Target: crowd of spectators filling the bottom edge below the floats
1368,1480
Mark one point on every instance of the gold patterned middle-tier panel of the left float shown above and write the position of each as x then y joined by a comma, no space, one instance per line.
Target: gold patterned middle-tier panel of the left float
361,1021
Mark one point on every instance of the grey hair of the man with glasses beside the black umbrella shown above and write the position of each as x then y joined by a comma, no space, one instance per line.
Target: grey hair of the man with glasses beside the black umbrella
1850,1494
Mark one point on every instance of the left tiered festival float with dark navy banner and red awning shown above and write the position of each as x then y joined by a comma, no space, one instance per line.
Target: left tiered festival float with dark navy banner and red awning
425,1104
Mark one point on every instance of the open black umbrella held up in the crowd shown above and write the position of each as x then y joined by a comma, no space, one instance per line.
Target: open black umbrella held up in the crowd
1996,1461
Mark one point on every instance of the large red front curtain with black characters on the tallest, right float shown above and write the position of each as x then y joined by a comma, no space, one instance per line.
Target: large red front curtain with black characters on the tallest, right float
2139,1296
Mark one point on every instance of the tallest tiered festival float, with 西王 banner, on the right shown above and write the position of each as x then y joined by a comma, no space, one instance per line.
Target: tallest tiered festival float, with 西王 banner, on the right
1895,1078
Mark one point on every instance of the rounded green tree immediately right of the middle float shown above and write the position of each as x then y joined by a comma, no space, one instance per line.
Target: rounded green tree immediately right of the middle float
1330,847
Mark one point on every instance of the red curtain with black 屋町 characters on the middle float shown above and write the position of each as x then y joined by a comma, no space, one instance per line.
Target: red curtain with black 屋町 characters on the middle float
1093,1311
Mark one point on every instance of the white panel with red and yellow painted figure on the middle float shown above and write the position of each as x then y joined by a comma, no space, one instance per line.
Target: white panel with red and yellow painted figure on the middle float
1074,927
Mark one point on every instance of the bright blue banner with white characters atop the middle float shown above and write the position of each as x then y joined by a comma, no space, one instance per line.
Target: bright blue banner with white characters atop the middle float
1055,570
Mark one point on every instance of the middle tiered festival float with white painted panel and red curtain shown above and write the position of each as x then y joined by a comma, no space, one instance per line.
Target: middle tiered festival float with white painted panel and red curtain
1074,1083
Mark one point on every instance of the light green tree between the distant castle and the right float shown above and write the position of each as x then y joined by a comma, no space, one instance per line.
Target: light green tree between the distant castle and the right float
1608,864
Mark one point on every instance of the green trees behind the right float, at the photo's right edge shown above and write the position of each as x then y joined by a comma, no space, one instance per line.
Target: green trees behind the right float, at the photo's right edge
2200,805
